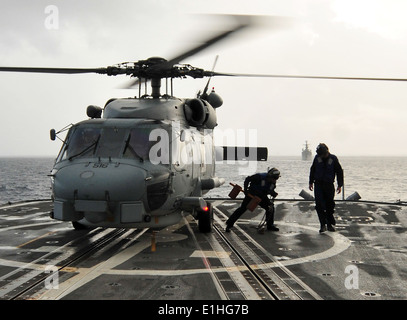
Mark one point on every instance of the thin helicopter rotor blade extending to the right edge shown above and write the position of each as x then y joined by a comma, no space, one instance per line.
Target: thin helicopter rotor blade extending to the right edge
209,73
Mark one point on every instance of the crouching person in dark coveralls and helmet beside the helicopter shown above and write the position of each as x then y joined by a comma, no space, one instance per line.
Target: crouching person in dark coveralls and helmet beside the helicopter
260,185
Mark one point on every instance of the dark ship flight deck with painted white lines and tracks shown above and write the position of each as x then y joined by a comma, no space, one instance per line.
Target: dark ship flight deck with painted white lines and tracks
365,259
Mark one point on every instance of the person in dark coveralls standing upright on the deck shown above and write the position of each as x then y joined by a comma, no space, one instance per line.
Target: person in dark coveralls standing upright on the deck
321,179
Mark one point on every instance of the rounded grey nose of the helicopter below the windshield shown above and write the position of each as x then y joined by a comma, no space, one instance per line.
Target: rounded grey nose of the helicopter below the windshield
107,182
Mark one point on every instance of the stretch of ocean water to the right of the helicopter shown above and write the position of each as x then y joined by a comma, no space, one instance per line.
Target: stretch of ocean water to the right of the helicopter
373,178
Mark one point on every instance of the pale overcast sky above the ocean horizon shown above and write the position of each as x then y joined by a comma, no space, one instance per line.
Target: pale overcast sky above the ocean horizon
360,38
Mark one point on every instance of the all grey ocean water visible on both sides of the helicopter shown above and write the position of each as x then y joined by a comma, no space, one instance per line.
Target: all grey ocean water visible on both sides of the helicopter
374,178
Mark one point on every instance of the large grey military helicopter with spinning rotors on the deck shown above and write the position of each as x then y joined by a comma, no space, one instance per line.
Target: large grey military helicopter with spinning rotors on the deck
142,162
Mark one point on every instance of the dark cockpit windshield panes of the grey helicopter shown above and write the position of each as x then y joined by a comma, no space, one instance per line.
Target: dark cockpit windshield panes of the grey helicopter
114,142
